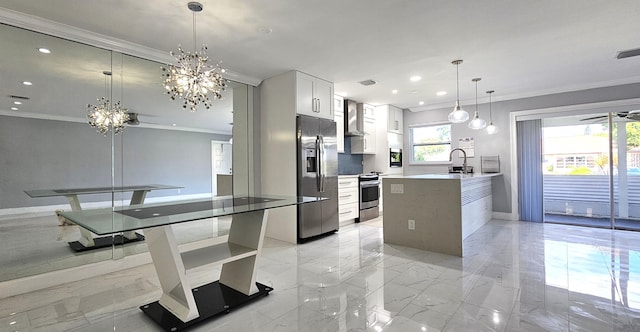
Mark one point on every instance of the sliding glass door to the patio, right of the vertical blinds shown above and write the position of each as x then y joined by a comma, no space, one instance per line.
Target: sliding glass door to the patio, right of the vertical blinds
591,170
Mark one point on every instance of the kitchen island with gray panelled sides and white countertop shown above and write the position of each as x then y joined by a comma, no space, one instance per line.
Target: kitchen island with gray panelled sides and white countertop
436,212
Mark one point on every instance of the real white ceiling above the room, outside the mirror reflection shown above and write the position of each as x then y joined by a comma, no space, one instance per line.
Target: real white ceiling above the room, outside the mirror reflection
519,48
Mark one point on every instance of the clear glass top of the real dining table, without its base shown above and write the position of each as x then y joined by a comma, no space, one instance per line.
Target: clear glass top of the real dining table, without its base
133,217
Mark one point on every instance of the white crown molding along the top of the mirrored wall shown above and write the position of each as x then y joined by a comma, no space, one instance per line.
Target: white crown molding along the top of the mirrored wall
56,29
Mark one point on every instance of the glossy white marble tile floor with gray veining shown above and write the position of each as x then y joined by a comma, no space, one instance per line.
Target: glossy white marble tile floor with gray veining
518,277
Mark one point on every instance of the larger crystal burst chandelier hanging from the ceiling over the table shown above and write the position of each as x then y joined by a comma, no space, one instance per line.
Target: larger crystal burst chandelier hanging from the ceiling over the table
192,78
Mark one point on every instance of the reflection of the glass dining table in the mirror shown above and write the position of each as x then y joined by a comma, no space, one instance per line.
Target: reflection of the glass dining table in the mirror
87,241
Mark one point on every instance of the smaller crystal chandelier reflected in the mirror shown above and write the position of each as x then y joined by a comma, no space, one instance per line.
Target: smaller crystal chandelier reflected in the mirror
102,117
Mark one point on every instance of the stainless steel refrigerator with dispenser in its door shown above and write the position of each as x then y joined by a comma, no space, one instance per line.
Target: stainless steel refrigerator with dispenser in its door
317,176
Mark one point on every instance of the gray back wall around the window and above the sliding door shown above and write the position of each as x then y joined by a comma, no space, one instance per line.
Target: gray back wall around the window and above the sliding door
499,144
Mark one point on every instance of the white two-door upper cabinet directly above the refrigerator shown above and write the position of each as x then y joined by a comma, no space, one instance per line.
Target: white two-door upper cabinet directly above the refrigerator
314,96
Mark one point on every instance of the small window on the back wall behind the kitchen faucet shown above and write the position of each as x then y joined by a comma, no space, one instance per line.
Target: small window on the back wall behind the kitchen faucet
431,143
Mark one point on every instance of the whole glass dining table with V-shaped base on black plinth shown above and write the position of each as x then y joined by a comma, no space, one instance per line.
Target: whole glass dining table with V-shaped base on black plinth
180,306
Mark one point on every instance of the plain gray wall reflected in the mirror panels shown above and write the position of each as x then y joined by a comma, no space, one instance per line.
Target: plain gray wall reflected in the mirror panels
49,154
